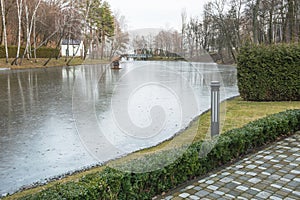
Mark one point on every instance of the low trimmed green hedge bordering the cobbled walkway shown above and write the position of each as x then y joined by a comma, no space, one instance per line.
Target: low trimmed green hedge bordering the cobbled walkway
113,184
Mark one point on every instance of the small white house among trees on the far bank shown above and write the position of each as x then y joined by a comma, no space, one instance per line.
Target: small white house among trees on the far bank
72,48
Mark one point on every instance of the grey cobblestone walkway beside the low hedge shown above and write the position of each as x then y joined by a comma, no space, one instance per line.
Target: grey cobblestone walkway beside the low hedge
272,173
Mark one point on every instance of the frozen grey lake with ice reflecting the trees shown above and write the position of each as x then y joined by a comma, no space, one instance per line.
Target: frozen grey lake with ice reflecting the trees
58,120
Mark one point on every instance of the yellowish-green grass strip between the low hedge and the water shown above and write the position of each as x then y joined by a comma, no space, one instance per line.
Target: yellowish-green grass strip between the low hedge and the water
238,113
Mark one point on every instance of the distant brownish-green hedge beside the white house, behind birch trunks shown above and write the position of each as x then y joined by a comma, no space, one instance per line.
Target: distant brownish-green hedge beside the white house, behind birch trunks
42,52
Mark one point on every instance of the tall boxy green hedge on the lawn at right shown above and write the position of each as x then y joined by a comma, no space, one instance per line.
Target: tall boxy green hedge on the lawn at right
269,73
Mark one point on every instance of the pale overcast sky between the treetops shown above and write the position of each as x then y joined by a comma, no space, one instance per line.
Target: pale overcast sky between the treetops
156,13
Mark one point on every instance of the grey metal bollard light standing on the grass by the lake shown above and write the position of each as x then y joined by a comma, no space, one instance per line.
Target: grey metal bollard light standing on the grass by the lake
215,108
